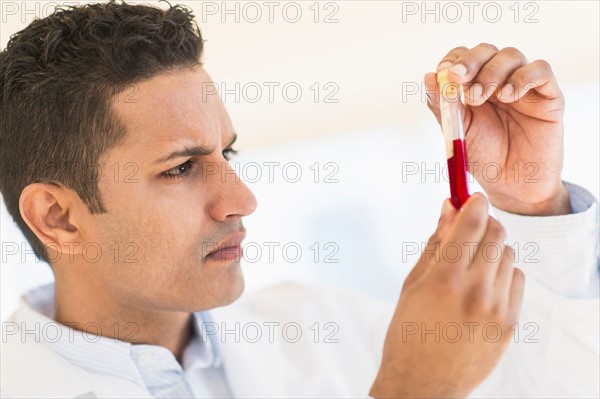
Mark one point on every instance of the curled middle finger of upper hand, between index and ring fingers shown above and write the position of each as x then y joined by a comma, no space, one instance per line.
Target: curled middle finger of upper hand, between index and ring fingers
493,75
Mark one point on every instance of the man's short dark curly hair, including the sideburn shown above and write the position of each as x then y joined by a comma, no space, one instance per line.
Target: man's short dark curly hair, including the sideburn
58,77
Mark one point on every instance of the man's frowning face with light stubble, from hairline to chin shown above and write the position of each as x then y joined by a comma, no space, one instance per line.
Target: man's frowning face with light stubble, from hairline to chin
171,198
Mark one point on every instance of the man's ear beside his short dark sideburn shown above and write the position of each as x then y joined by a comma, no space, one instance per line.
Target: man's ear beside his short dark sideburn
46,208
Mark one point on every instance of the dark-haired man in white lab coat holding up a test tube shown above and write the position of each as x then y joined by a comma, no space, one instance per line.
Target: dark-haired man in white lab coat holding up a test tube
84,169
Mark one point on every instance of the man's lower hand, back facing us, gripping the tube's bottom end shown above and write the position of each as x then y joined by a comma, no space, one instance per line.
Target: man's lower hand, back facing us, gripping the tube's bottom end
456,309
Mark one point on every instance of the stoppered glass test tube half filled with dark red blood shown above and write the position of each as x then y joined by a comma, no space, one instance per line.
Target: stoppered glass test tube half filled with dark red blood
454,137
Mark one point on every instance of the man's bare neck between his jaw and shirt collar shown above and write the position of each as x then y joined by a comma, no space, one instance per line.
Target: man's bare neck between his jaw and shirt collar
95,312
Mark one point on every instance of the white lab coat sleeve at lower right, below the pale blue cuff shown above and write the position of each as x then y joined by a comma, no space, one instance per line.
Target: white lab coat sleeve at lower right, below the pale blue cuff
556,353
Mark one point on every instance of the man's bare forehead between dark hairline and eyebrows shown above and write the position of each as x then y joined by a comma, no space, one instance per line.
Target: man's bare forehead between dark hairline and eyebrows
178,106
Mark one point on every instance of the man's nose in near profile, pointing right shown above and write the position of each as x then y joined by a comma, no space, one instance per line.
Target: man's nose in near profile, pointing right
231,197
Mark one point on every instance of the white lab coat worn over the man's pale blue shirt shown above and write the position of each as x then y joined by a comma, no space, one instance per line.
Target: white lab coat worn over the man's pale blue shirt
563,363
